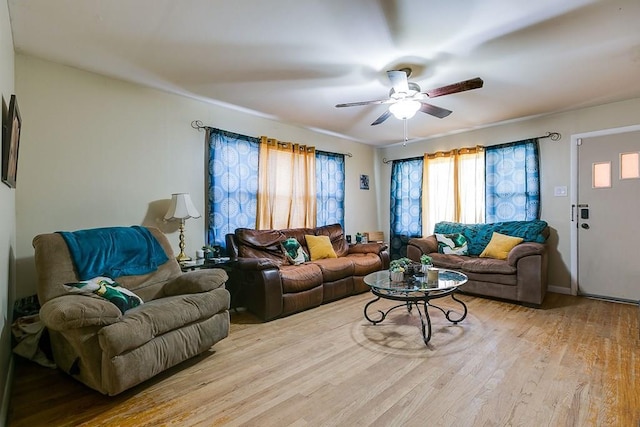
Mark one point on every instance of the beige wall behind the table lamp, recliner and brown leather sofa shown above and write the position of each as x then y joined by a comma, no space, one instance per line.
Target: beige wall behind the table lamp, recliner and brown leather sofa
101,152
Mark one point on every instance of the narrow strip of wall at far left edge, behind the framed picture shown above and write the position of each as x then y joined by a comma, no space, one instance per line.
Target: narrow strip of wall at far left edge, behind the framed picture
7,220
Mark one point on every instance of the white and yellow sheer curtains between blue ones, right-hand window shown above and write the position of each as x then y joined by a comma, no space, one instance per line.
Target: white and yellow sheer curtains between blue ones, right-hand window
453,187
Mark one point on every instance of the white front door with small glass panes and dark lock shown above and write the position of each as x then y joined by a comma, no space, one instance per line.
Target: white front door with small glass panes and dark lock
607,216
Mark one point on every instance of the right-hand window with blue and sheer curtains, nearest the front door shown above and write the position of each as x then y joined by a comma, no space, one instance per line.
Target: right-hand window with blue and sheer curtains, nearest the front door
468,185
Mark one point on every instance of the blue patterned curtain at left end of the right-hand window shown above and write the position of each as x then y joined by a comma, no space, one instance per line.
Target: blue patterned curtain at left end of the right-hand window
406,204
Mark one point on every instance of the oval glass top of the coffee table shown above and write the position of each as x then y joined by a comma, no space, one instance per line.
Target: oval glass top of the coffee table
447,280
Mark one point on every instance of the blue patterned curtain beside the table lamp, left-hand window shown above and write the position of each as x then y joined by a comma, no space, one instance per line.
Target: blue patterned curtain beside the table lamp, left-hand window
232,189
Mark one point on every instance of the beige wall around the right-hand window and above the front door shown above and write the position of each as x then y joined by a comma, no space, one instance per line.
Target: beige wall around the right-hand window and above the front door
554,165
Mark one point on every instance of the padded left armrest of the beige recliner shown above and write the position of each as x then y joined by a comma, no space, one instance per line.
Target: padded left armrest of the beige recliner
78,311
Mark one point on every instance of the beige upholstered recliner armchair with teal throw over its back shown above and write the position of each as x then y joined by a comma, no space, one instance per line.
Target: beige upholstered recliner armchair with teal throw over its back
182,315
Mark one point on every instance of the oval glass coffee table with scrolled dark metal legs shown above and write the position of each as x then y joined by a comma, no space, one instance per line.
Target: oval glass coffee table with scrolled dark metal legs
415,291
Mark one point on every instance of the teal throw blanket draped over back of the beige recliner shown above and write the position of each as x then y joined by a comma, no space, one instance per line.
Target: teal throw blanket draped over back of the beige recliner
114,251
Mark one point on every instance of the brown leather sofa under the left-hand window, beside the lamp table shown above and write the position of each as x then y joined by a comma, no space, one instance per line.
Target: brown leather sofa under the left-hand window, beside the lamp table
271,287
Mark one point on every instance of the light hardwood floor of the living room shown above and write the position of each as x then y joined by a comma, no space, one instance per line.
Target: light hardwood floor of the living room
575,362
